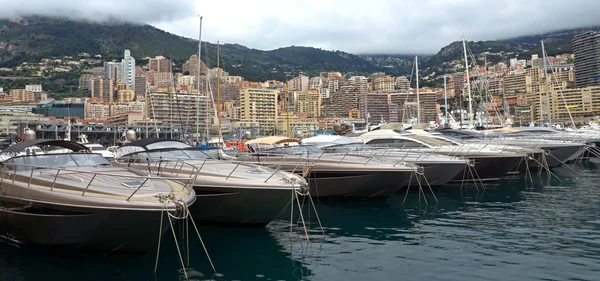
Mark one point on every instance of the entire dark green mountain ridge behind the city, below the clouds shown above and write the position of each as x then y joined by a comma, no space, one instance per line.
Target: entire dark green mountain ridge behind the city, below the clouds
32,38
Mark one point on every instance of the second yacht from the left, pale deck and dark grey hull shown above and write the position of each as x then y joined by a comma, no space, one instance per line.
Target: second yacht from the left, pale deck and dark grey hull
227,193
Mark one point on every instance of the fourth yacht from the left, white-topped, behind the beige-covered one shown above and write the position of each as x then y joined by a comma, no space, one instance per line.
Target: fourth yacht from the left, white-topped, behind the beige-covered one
438,169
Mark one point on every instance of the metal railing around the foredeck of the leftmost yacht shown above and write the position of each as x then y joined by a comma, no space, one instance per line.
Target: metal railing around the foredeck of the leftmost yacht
10,172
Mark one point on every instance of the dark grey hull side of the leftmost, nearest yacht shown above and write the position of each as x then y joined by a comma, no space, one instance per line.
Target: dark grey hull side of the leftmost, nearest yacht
105,230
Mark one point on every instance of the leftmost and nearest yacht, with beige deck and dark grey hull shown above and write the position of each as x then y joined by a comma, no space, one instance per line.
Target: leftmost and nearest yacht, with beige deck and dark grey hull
78,199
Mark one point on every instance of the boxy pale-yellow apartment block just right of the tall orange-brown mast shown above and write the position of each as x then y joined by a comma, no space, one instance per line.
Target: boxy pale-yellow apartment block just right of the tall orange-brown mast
259,105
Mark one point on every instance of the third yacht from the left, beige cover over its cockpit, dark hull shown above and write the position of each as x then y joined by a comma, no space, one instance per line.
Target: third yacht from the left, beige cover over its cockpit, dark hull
331,174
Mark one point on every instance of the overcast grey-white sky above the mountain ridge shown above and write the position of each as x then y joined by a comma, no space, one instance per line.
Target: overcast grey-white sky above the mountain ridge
356,26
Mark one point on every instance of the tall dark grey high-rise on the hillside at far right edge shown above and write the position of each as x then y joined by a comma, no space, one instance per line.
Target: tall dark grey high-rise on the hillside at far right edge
586,48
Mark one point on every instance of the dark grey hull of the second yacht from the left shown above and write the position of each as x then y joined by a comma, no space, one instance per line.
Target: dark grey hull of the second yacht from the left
241,207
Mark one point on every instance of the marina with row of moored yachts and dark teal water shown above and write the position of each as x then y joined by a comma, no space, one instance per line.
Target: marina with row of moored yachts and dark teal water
358,206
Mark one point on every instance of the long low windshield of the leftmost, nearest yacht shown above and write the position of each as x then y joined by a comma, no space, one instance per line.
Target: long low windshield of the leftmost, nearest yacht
59,160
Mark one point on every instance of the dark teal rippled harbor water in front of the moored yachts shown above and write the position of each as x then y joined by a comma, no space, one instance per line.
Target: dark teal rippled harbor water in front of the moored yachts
519,228
